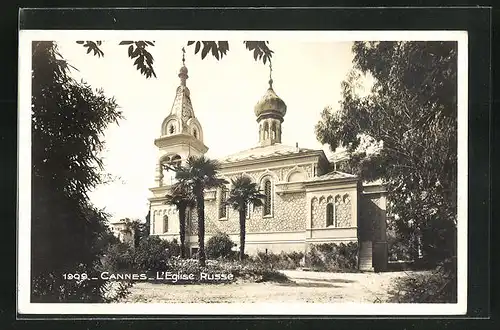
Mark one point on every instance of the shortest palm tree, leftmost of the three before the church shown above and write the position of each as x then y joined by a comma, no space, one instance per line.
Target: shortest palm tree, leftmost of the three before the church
182,197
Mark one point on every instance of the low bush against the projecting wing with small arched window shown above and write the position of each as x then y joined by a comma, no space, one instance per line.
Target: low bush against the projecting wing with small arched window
333,257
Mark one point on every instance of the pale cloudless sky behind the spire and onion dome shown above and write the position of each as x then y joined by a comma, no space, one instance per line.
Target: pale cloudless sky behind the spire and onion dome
307,76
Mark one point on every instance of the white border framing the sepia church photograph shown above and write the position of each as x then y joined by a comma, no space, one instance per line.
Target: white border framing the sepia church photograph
24,179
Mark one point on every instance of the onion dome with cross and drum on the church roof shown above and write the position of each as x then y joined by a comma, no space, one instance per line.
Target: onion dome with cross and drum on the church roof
270,112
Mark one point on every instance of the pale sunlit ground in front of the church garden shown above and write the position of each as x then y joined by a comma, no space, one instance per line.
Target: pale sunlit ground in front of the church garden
313,287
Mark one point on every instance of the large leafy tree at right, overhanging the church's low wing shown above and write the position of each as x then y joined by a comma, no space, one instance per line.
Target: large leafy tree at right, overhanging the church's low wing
412,113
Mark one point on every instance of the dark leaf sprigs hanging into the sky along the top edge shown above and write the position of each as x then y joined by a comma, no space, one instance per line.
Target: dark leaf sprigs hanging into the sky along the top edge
144,59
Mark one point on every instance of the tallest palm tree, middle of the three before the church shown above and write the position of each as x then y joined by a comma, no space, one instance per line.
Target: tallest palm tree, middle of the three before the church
200,173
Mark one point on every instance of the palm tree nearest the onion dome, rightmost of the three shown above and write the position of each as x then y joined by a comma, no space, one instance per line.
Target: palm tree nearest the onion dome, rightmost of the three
243,192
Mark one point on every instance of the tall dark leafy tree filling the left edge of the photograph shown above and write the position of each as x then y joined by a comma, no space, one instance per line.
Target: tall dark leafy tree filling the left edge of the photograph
68,233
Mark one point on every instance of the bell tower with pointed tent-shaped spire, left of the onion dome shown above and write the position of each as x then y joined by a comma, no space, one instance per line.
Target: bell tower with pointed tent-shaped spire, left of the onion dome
181,133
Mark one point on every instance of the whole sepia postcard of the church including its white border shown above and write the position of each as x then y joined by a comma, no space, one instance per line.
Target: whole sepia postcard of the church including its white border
272,172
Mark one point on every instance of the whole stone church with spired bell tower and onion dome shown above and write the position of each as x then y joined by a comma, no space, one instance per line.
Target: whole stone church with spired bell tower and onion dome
307,202
